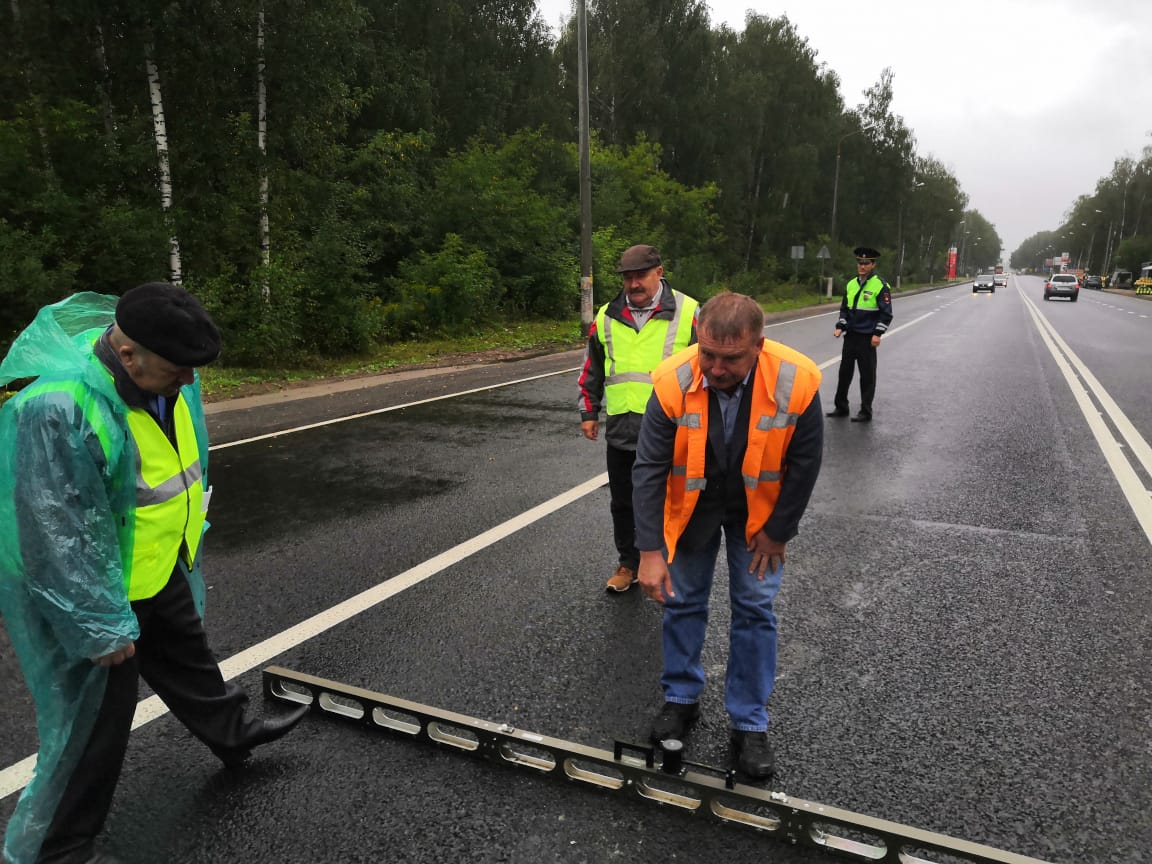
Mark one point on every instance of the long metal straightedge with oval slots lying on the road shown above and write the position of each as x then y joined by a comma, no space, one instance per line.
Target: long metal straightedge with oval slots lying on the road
656,775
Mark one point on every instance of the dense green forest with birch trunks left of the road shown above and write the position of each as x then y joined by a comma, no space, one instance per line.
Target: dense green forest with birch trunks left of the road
332,175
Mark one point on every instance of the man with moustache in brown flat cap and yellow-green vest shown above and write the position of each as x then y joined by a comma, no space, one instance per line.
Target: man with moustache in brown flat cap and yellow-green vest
632,336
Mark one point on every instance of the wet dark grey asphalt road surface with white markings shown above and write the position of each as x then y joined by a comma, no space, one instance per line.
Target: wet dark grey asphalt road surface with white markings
965,617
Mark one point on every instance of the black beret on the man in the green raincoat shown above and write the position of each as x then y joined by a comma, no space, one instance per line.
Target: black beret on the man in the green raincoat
171,323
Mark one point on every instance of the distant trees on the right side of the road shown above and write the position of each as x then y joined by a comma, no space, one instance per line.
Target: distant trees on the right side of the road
1110,230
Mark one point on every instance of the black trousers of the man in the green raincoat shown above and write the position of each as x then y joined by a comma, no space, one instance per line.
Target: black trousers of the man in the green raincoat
173,657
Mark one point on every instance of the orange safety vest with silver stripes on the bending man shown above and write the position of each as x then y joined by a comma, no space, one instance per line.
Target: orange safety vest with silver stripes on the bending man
784,386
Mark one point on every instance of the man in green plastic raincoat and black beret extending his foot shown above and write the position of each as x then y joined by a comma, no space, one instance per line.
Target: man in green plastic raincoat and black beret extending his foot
103,501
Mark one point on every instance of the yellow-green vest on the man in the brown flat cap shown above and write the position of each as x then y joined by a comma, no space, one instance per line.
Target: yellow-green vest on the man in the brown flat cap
631,355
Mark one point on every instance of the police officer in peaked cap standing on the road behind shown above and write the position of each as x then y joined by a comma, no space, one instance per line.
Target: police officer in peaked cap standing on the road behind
866,314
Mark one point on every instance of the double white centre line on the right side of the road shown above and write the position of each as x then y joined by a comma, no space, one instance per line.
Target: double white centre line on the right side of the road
1131,483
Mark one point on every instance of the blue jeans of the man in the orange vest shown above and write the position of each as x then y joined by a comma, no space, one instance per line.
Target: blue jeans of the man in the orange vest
753,640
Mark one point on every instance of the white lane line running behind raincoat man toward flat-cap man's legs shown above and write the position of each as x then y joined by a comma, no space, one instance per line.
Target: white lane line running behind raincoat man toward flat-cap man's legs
17,777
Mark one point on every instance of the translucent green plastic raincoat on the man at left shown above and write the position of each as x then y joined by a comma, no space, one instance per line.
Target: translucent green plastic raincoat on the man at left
67,502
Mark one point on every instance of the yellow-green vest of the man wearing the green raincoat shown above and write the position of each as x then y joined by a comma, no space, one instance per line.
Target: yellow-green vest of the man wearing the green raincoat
170,501
